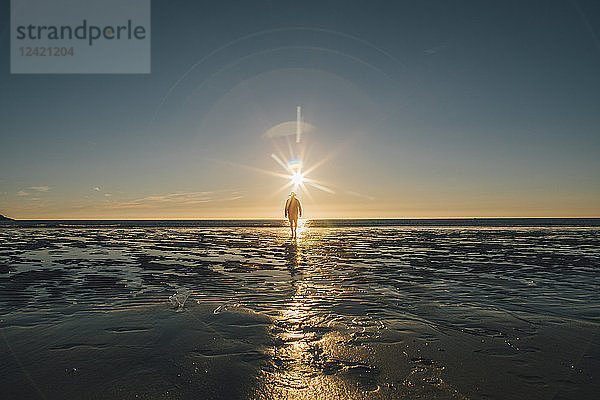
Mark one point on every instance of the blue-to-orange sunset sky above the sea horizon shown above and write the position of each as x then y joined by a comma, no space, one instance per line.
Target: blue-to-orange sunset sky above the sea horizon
416,109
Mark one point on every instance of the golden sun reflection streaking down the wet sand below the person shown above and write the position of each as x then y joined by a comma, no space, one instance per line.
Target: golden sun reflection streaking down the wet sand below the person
302,361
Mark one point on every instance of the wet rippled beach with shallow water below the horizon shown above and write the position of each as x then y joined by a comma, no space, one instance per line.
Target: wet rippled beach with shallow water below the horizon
346,311
